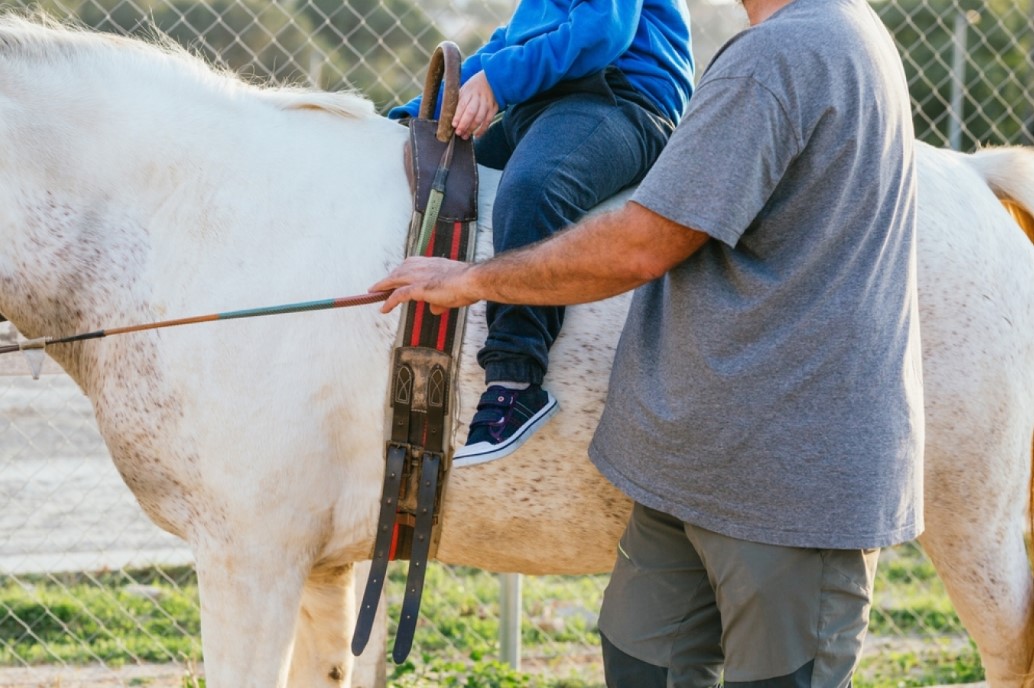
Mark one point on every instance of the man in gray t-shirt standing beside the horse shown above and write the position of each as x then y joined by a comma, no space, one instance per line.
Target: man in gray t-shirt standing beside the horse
766,406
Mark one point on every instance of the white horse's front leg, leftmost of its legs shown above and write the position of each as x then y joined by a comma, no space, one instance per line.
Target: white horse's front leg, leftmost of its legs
250,602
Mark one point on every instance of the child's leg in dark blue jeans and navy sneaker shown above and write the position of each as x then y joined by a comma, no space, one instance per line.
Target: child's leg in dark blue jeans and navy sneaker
566,156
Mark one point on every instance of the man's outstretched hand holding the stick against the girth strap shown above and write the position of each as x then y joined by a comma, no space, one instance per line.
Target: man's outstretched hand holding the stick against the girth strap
440,282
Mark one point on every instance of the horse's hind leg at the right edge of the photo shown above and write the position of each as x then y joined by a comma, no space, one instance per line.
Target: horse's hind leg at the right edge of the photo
976,523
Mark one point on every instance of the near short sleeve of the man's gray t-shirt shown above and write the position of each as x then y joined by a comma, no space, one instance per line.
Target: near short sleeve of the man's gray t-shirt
724,161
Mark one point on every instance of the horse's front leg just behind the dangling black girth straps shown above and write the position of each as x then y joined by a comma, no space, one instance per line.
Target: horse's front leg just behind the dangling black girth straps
323,641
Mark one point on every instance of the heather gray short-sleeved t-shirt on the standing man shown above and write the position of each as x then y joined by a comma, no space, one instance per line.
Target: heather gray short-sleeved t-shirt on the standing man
770,387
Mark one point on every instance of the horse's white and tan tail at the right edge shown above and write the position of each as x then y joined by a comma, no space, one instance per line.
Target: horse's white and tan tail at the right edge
1010,173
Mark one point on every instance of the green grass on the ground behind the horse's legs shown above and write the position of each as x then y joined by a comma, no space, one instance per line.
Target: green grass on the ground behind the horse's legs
129,617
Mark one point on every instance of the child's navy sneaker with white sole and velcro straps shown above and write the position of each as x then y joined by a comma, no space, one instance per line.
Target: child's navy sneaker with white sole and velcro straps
505,420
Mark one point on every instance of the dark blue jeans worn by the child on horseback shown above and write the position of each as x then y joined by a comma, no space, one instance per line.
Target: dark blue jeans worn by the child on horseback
562,154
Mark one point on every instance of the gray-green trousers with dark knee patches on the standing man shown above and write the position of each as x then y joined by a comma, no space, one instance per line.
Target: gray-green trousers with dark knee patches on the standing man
685,606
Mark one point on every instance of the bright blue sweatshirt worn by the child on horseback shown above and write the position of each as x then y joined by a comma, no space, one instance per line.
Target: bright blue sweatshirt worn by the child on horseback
549,42
